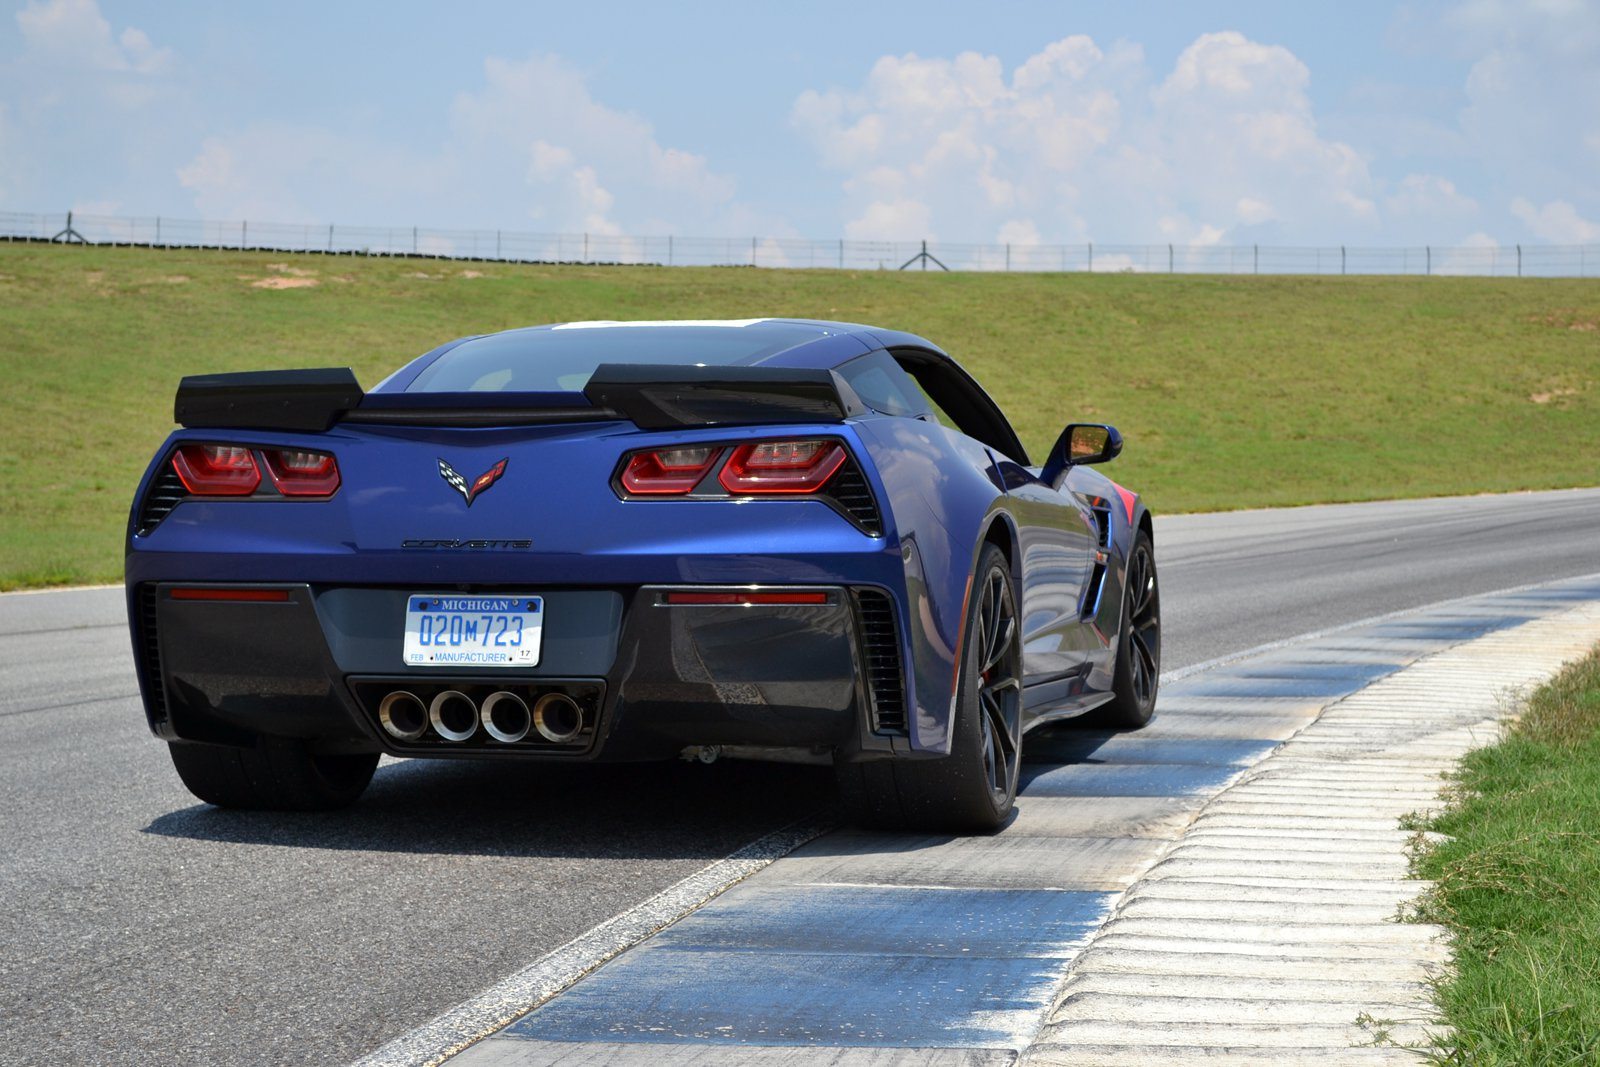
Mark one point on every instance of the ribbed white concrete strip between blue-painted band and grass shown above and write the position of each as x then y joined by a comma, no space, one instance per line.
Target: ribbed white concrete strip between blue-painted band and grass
1270,929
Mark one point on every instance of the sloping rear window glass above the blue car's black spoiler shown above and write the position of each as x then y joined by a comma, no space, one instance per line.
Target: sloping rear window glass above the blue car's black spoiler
562,359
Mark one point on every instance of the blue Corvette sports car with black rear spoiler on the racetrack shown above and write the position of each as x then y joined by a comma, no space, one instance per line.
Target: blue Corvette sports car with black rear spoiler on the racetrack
766,538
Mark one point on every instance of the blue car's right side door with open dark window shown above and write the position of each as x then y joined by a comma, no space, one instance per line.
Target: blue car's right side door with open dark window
1057,530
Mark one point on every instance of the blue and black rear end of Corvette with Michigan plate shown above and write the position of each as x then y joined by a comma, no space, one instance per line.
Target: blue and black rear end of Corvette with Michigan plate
567,588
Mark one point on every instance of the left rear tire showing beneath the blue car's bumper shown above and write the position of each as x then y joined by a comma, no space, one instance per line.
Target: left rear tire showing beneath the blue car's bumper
271,777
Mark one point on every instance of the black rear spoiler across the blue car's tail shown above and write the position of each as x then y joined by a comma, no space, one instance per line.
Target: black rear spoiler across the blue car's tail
654,398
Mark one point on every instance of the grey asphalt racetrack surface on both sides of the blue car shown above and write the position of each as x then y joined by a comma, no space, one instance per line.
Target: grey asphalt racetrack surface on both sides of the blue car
145,927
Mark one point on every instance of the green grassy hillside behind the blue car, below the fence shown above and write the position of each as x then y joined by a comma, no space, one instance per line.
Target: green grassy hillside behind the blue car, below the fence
1231,391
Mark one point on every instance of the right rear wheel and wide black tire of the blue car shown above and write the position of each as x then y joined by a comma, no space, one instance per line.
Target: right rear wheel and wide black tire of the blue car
972,789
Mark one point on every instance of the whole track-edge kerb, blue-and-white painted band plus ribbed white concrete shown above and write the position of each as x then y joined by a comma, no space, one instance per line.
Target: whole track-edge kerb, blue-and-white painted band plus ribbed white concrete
1222,887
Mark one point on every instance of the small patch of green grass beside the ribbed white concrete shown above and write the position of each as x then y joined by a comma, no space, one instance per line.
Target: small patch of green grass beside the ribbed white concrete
1521,885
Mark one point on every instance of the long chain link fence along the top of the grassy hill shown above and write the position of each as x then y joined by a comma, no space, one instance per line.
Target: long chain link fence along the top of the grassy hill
798,254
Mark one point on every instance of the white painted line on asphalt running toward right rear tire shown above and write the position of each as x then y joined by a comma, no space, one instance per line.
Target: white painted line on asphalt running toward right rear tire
514,997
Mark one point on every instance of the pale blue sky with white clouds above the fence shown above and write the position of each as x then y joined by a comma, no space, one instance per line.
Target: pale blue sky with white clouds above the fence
1465,122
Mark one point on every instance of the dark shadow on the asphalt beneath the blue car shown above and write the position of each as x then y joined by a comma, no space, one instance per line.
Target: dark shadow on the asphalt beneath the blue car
473,809
